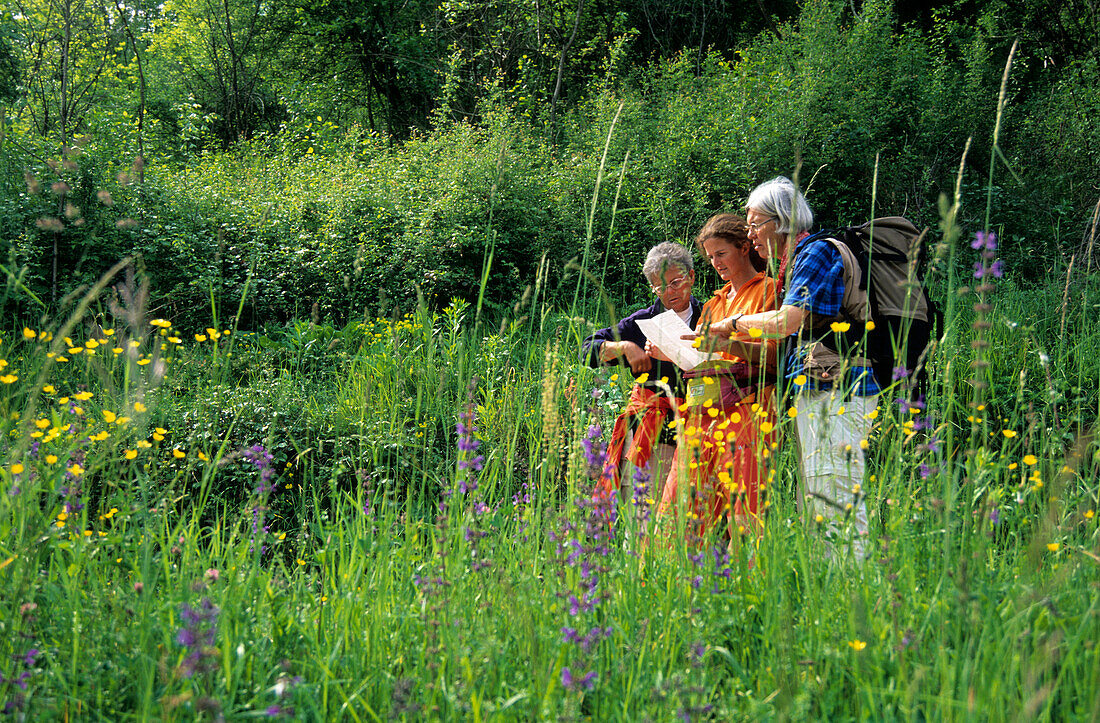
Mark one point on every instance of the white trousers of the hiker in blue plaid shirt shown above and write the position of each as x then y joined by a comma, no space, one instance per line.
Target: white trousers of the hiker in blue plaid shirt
831,430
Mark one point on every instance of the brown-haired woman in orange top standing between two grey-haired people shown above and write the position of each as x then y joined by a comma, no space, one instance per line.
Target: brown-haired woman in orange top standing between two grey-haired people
728,431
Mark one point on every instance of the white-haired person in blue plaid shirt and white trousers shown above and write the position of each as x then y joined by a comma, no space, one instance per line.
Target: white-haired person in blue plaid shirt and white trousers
835,392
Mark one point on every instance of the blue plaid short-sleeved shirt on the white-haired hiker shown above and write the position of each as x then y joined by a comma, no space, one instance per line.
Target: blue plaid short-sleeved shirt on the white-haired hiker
817,286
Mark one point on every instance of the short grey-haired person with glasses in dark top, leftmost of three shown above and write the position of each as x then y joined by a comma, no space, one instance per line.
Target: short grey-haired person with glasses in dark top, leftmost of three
642,436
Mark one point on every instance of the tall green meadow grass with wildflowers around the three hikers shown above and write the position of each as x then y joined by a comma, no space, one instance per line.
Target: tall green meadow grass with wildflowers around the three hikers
367,600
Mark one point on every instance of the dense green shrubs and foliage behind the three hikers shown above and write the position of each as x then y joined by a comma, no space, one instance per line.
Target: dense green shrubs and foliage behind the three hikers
322,210
